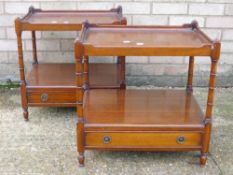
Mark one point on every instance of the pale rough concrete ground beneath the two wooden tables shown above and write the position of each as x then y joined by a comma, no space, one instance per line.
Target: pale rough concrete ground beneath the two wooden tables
47,144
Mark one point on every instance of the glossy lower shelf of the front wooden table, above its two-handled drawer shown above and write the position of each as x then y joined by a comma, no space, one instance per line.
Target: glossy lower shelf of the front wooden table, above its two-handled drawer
118,110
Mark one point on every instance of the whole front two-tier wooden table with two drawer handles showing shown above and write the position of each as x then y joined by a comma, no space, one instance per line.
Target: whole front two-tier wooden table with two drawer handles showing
126,119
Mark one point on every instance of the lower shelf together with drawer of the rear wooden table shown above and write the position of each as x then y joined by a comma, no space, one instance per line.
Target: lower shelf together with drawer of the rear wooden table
54,84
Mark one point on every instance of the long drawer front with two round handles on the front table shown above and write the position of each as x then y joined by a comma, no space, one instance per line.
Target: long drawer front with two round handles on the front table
143,139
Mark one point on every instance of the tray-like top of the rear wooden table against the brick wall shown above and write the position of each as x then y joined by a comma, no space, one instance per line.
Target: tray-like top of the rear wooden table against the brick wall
47,19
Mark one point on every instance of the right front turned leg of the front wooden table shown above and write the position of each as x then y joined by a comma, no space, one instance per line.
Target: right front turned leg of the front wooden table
208,116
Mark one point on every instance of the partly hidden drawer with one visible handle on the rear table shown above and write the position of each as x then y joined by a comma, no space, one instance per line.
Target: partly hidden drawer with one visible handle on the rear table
51,97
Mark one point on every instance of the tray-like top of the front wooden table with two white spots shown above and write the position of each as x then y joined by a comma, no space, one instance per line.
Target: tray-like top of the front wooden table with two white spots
180,40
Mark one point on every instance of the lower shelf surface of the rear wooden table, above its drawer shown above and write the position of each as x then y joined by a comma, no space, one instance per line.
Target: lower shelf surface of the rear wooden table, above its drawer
62,75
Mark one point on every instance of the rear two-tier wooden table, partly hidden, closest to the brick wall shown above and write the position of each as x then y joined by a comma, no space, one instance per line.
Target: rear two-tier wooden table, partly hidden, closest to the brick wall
54,84
